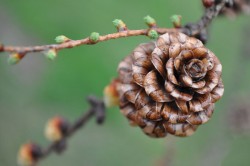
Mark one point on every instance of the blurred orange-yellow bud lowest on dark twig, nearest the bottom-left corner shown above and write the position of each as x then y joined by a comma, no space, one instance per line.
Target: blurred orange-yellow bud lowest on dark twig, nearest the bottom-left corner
29,154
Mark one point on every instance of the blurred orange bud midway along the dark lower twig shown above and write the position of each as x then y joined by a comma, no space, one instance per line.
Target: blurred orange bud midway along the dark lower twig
56,129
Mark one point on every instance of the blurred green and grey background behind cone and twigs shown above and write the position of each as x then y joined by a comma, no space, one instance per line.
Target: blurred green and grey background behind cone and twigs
37,89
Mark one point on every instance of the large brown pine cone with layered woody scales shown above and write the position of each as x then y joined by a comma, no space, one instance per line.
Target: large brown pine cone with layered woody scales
170,86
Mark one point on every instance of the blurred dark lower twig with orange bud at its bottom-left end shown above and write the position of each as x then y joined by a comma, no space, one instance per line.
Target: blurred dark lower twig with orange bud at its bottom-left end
36,153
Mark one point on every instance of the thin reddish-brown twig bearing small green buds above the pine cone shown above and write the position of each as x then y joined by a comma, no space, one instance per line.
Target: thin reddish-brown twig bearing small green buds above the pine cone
192,29
